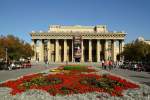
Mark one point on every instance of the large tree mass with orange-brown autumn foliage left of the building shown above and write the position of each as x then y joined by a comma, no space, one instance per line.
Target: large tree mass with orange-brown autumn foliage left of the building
16,48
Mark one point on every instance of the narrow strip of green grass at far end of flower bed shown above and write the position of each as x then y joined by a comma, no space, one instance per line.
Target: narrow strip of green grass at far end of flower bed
75,67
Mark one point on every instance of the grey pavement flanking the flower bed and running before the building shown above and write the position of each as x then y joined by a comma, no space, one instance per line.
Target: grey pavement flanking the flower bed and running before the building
141,77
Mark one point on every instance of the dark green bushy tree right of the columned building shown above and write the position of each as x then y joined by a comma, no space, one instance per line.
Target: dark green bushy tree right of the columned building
136,51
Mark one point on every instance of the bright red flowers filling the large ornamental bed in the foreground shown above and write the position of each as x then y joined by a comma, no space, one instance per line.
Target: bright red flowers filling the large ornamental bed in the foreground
69,84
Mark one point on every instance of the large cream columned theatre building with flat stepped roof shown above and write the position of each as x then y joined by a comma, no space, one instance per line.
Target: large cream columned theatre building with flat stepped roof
76,44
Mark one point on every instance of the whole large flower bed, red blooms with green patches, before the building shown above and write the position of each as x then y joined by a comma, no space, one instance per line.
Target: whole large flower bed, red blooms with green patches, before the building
76,81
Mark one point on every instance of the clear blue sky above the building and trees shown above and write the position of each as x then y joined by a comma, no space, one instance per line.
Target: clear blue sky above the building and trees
19,17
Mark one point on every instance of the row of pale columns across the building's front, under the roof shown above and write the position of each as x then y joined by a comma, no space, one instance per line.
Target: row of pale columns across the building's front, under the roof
102,50
